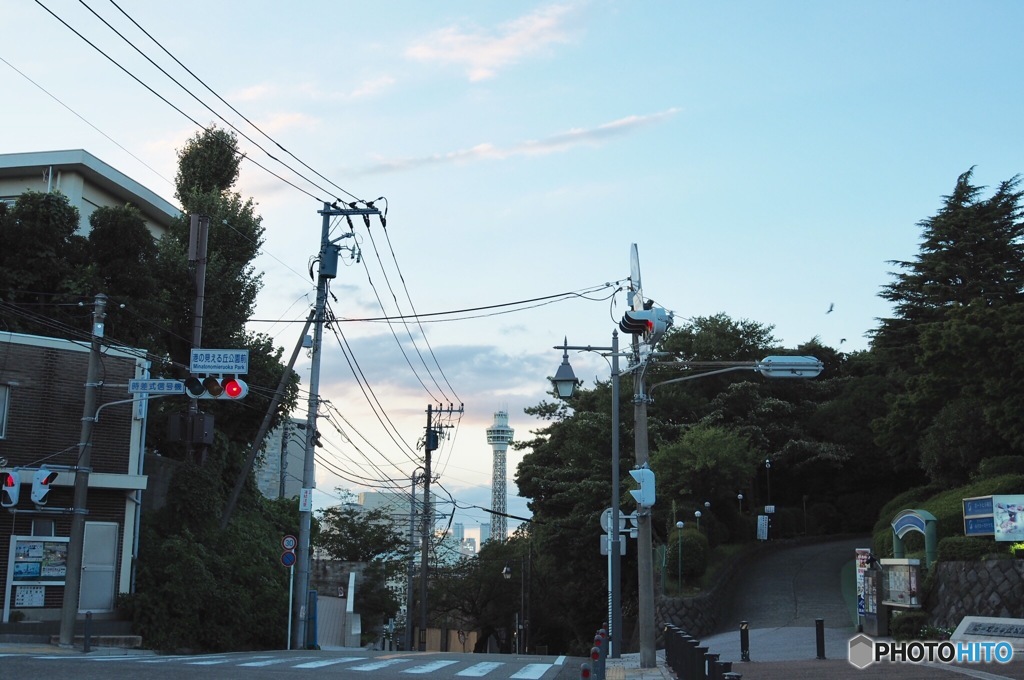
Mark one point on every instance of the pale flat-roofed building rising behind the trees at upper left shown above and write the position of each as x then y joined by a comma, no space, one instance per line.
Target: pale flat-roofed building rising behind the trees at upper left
89,184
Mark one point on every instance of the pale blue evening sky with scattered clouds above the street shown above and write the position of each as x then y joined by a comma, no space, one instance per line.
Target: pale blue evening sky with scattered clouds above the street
770,160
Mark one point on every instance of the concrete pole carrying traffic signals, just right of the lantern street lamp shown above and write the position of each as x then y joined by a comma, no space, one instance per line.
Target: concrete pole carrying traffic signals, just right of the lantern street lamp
646,558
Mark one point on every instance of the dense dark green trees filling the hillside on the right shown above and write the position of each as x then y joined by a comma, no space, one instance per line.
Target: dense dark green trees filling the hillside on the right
936,397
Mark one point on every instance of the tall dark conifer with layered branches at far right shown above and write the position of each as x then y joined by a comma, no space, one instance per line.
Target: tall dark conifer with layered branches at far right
951,304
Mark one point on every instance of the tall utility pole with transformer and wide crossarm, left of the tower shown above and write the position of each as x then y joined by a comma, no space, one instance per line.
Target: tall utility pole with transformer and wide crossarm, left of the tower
328,270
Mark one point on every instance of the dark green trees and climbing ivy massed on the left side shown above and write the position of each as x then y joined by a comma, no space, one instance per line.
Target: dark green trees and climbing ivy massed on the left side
198,587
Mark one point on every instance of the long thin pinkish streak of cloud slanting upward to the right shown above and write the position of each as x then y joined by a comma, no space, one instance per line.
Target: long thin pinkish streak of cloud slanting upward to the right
556,144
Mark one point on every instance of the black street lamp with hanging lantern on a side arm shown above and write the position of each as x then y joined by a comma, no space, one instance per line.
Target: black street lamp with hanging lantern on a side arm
566,384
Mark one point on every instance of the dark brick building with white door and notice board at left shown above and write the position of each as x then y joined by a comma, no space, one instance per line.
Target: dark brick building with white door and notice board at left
41,409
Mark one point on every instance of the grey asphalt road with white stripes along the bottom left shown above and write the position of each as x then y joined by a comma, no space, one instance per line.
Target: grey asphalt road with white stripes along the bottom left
292,666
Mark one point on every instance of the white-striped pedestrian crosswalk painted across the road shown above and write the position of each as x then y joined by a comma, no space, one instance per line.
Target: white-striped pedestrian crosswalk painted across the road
357,664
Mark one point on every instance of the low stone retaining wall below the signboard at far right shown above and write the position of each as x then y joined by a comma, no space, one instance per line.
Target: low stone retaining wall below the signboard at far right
990,588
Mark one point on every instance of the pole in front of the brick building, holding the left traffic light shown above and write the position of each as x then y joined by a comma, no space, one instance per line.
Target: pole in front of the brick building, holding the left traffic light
73,579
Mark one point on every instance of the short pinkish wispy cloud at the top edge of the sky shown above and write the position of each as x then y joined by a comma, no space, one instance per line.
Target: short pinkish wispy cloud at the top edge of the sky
484,53
